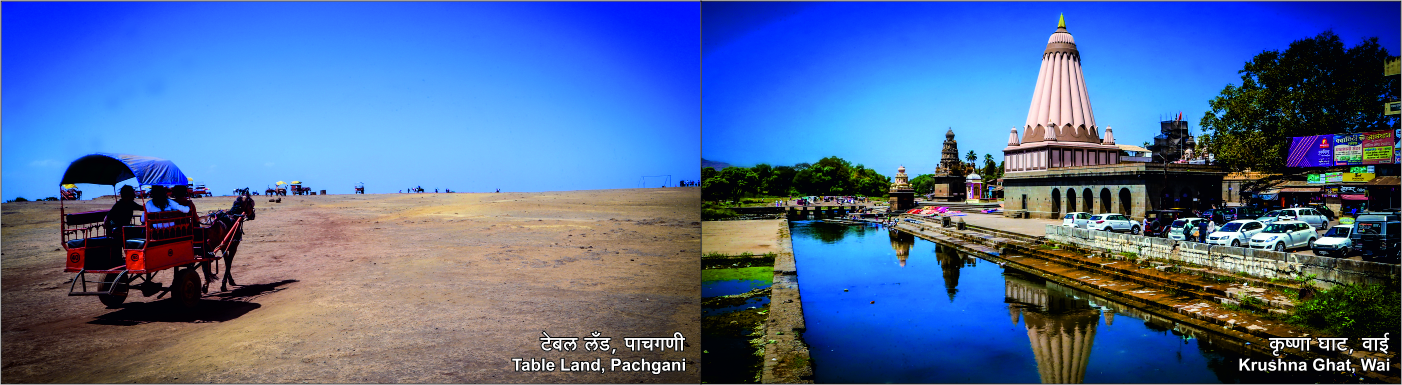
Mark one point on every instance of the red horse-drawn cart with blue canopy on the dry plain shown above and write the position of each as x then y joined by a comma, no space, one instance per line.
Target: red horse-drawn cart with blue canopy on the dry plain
132,257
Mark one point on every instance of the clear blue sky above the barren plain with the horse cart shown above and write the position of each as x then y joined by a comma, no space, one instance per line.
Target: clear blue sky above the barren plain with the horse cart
463,96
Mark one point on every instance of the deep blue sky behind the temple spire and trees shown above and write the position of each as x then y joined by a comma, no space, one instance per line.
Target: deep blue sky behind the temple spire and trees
880,83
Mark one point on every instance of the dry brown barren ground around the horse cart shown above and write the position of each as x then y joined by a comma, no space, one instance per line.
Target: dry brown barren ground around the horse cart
378,289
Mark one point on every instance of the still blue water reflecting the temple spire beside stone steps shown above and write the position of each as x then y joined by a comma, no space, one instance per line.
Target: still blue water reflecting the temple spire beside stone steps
888,307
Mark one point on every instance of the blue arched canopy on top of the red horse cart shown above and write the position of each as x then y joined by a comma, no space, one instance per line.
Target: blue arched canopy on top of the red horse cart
111,169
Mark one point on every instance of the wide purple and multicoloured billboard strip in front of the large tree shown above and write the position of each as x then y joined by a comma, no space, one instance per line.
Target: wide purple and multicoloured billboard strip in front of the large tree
1352,149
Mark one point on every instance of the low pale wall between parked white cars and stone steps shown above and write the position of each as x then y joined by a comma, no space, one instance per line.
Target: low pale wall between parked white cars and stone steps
1255,262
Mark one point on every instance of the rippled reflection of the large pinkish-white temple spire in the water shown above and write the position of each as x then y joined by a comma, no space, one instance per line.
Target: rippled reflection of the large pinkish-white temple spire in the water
1061,325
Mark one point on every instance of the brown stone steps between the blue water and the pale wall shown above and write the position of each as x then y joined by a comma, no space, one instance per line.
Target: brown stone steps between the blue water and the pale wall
1206,296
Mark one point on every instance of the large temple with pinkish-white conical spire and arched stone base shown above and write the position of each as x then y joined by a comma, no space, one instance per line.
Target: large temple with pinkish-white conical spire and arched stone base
1062,163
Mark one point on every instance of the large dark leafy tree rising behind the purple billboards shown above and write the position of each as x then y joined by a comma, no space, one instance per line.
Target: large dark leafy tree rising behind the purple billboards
1314,87
